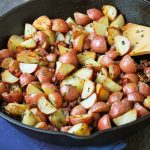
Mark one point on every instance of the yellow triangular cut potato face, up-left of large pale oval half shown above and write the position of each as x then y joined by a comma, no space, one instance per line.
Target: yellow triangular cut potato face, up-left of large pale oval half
31,89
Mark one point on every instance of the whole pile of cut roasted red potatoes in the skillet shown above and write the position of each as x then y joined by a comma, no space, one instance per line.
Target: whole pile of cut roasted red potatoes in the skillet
75,76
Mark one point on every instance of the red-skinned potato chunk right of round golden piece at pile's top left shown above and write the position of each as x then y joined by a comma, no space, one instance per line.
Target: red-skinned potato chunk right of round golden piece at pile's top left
59,25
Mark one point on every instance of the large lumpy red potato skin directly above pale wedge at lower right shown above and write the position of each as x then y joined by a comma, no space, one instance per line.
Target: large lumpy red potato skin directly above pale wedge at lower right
119,108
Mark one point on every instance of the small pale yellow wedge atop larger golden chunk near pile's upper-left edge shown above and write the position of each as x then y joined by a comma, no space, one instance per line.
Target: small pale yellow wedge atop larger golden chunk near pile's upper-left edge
29,44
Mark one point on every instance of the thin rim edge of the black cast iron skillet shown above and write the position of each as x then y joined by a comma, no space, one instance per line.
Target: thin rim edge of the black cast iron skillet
98,133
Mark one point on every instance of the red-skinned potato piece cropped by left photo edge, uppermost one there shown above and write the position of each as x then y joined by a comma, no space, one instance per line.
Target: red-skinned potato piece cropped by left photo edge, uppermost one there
5,53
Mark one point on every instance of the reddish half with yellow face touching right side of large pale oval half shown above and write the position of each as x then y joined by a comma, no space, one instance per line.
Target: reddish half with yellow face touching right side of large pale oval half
56,99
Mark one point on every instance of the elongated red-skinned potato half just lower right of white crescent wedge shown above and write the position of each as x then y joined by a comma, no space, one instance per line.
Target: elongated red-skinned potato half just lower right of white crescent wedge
100,107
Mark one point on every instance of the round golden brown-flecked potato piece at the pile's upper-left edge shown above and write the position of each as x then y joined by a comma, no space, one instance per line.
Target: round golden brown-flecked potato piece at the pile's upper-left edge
42,23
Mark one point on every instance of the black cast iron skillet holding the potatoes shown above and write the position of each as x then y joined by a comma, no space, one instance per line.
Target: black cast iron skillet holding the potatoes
137,11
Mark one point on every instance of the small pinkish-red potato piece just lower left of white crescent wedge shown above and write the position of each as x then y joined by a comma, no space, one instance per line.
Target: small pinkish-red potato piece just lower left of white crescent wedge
78,110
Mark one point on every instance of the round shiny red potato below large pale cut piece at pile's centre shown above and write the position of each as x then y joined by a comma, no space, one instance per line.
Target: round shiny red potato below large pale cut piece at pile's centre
69,93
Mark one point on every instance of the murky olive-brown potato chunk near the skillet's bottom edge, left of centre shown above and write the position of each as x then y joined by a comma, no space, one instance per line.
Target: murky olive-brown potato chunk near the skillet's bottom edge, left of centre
58,118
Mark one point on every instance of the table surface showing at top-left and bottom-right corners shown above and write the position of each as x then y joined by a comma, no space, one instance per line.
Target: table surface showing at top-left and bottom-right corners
138,141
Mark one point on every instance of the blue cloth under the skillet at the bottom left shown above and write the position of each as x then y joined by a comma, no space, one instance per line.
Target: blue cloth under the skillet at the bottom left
13,139
